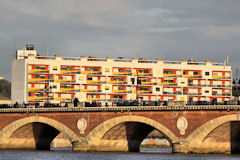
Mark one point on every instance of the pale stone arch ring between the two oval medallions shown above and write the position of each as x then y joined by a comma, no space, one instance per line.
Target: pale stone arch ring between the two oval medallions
97,133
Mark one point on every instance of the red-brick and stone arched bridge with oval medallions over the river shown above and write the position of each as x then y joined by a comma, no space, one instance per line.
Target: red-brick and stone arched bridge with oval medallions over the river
192,129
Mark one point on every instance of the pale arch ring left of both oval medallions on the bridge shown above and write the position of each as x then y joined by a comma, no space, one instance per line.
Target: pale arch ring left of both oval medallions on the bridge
7,131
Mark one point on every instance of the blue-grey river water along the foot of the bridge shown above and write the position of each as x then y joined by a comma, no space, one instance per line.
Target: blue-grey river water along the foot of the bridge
146,154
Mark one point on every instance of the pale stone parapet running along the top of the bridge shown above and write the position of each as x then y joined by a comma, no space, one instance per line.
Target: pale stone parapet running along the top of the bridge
123,109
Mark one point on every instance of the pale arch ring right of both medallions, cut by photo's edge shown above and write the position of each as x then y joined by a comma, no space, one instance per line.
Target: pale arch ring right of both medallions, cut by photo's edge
197,136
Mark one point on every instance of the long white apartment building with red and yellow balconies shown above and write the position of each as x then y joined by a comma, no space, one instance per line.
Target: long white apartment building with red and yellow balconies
38,78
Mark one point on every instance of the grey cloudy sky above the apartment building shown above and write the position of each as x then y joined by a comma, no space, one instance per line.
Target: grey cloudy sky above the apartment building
166,29
